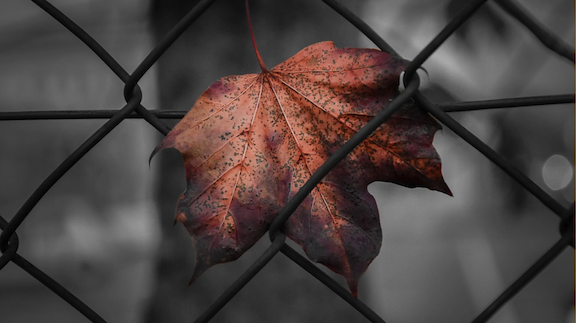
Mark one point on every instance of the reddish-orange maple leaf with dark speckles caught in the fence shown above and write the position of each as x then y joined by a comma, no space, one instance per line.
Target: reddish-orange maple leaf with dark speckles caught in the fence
251,141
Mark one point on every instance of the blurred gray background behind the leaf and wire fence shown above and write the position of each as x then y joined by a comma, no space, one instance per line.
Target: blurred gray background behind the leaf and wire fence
105,230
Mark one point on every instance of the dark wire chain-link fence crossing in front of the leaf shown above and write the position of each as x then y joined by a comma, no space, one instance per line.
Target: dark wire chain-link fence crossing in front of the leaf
9,241
